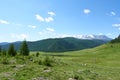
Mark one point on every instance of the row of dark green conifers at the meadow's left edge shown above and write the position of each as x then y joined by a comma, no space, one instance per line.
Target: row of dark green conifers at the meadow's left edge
24,50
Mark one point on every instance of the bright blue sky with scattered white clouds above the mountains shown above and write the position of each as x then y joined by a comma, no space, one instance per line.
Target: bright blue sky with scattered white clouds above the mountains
40,19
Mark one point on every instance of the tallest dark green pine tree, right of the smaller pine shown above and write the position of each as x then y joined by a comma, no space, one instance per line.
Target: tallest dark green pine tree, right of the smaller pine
24,50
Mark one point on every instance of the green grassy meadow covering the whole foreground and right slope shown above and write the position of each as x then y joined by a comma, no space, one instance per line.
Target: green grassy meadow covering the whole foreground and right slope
100,63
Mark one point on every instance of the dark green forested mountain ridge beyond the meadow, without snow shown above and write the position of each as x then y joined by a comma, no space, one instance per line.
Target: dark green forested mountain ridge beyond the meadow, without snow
60,44
